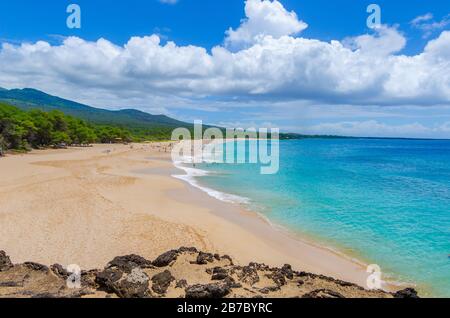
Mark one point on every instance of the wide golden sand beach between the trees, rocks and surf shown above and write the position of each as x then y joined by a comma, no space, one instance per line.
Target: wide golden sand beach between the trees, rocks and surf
87,205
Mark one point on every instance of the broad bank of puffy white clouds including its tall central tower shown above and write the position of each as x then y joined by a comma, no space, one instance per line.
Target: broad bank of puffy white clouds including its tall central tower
365,70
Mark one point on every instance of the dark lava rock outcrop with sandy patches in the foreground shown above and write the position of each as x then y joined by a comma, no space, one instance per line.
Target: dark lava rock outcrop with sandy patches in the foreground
185,272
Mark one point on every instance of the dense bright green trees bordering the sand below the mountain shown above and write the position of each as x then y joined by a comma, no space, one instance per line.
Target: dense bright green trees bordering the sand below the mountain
23,130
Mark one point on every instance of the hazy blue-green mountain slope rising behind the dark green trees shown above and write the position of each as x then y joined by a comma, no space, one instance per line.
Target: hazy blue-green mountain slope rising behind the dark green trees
28,98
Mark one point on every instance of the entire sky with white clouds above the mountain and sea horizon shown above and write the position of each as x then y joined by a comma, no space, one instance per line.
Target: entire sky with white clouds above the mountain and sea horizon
331,91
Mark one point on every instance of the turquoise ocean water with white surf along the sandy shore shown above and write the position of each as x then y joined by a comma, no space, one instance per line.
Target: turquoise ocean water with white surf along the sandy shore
382,201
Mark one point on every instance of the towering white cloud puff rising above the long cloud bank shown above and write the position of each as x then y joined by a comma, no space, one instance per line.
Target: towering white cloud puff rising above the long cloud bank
263,18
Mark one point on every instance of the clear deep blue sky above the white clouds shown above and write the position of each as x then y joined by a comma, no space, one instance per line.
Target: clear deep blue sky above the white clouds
201,22
